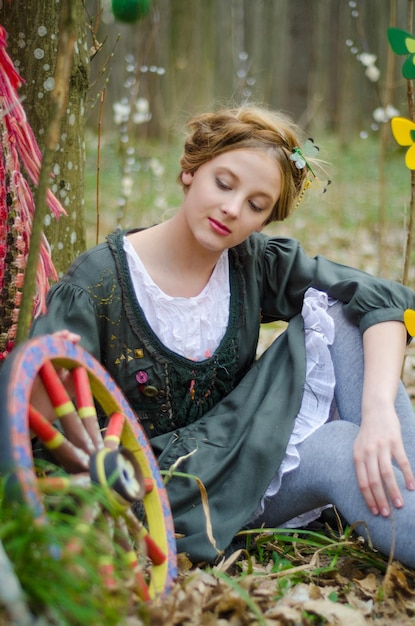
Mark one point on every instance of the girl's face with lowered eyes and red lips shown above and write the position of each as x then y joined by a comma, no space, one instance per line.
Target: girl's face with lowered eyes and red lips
231,196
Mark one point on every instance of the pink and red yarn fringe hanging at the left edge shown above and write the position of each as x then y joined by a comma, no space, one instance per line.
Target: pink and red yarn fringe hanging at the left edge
18,145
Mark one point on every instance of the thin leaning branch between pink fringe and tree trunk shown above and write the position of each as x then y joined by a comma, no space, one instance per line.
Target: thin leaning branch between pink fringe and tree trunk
59,96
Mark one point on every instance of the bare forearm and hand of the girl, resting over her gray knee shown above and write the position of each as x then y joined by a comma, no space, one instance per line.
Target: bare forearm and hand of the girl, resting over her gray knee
379,439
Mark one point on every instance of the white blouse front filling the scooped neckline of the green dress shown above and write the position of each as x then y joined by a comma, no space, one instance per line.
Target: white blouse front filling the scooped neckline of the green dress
192,327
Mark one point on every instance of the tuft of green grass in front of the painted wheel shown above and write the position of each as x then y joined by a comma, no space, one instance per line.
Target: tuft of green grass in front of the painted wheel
58,562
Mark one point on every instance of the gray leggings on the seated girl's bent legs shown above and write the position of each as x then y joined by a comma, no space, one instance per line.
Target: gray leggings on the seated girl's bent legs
326,474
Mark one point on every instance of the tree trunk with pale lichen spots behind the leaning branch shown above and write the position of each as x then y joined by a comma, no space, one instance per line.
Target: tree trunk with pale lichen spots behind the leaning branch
32,29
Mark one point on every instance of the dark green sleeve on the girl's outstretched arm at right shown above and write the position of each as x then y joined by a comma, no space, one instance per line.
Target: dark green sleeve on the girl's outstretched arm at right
286,273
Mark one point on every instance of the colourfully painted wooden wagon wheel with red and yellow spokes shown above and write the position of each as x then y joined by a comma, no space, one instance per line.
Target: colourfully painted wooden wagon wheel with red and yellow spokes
117,455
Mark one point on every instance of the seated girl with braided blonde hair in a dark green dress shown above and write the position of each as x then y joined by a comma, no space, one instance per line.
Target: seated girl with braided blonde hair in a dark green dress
174,313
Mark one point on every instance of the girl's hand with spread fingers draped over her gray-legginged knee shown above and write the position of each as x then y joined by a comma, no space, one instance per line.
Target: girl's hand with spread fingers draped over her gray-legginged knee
379,442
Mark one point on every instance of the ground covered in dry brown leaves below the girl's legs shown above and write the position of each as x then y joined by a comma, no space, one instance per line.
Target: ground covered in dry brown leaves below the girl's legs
350,593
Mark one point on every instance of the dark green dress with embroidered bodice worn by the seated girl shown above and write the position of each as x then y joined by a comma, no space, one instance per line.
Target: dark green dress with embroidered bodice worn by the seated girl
230,416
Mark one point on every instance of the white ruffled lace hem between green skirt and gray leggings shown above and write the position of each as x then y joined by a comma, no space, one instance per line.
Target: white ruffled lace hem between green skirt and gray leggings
318,391
